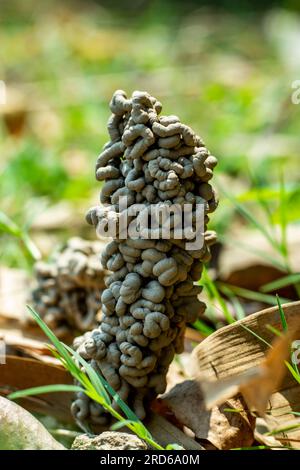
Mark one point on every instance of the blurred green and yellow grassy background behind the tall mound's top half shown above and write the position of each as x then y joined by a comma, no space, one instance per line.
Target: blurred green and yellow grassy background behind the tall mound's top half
225,68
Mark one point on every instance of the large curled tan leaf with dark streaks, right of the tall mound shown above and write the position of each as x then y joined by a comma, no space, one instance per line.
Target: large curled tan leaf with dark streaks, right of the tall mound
236,360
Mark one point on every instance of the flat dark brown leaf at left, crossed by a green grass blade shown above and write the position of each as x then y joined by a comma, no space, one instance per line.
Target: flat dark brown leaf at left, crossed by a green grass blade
21,373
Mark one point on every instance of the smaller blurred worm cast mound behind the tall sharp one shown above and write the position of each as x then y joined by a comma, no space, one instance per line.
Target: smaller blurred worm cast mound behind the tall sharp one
68,289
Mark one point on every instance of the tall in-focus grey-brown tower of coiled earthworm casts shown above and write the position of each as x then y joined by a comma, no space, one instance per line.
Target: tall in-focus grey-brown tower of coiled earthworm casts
155,162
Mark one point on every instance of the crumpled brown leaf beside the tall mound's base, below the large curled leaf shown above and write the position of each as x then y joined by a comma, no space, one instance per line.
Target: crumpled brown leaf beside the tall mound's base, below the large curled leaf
224,429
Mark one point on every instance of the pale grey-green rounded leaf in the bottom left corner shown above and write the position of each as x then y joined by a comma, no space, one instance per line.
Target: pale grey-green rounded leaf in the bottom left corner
19,430
